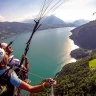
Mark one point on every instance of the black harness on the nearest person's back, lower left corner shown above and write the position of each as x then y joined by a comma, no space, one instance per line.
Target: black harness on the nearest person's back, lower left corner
6,88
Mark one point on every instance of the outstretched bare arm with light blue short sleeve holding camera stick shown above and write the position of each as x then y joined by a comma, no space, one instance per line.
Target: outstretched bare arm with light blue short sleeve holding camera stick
15,81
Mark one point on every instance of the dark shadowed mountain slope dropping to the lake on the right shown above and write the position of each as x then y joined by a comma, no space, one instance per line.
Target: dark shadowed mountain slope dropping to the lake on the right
85,35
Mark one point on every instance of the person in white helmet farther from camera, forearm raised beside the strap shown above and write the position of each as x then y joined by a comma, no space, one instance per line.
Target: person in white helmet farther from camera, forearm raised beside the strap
16,62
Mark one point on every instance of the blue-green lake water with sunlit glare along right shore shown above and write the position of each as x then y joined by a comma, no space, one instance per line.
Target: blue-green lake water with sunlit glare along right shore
49,51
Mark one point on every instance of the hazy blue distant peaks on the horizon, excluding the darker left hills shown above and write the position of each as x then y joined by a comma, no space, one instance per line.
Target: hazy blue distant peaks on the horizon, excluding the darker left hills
53,21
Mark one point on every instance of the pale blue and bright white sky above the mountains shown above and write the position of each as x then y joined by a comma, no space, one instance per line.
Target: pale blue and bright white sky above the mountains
71,10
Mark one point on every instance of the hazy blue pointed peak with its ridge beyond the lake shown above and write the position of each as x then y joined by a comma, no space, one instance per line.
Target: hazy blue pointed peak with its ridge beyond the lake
50,21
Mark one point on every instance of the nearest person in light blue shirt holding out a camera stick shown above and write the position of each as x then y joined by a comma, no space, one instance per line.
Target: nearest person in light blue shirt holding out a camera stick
9,79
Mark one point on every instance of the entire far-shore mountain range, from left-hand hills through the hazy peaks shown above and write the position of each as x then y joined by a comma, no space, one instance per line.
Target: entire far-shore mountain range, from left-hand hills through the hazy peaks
8,29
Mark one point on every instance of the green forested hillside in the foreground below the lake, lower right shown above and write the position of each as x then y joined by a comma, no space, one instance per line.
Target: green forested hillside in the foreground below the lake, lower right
76,79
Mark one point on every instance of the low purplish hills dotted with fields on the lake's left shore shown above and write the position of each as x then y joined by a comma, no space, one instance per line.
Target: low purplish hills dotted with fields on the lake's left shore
8,29
